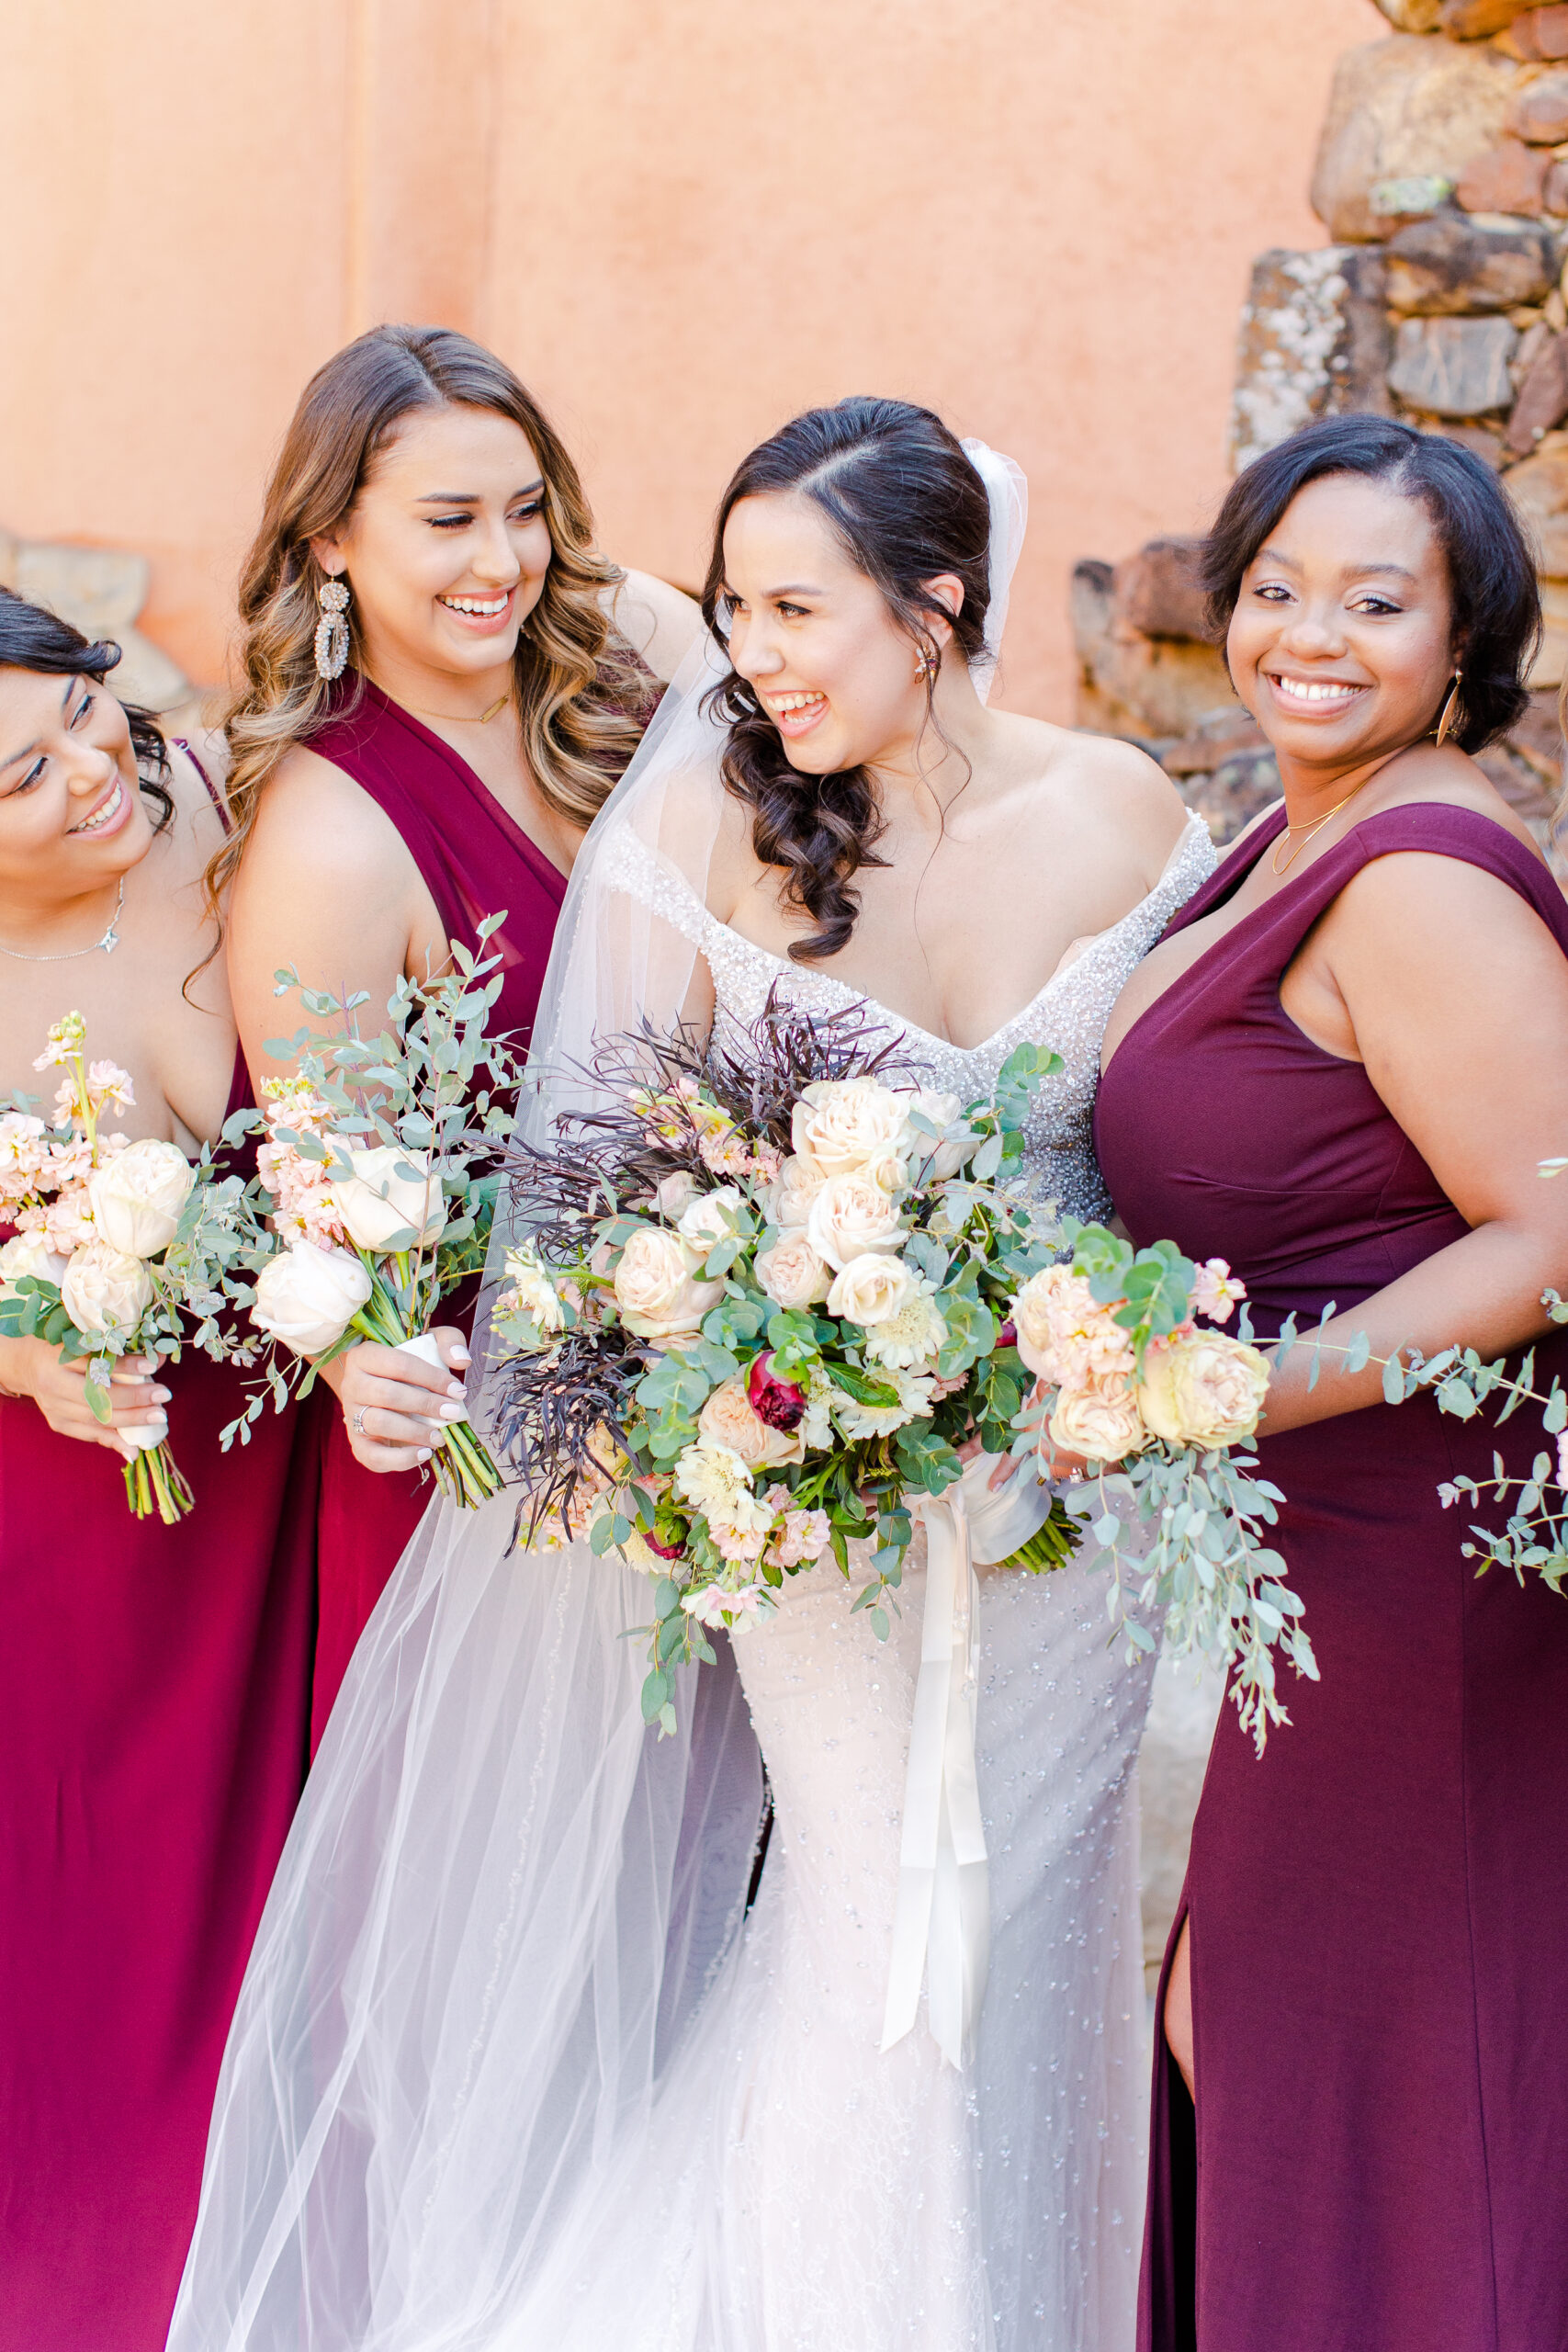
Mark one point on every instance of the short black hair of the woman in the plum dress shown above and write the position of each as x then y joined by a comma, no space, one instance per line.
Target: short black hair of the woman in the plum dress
1492,573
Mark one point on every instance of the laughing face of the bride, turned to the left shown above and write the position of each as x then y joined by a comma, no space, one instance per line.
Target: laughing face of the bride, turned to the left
815,636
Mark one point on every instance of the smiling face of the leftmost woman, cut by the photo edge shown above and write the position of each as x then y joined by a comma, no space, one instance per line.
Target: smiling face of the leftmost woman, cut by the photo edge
72,813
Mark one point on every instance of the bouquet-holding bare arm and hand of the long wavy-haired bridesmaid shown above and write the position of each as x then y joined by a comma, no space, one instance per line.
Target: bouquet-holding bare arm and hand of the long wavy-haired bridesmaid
328,888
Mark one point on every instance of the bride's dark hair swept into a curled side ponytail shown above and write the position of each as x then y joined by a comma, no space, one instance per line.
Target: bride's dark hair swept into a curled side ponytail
906,507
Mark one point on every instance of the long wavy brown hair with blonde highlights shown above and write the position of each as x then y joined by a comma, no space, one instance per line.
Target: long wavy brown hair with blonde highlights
579,688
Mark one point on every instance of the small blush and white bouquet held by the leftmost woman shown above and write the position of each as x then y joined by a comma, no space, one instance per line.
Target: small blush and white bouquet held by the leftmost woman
121,1248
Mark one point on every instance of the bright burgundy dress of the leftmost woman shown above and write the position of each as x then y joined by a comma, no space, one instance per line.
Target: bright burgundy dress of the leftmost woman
154,1720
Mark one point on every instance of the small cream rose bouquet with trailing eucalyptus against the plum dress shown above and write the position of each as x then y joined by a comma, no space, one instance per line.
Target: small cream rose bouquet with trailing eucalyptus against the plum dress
1162,1410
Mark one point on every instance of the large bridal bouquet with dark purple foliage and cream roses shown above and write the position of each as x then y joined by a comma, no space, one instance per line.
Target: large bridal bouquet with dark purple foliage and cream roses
760,1307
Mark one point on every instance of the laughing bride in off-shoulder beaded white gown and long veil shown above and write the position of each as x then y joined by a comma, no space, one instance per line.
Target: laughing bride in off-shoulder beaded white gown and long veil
516,2066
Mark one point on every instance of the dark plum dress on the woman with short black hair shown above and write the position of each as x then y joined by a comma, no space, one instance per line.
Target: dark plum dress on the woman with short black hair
1381,1904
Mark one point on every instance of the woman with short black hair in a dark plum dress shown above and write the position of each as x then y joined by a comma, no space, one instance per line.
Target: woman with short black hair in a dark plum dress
1341,1071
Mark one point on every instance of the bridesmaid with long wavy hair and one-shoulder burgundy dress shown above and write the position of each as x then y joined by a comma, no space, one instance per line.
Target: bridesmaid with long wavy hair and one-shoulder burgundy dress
443,683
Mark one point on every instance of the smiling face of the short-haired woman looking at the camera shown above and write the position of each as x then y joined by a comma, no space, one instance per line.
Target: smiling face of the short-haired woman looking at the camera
1341,643
